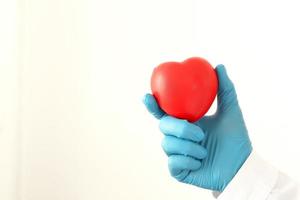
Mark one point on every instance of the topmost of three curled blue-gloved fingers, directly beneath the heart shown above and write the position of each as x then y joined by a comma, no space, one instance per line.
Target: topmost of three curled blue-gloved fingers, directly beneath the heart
181,129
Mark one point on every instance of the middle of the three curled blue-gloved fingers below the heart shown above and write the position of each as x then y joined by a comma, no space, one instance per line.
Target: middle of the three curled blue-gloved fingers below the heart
175,146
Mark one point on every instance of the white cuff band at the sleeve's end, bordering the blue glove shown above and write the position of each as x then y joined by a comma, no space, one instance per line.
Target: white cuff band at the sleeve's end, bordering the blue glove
254,180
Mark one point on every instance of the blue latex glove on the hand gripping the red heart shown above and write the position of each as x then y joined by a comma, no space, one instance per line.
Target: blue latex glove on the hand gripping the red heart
209,152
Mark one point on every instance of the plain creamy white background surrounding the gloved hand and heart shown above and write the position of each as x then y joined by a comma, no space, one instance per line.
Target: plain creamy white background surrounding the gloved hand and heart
73,73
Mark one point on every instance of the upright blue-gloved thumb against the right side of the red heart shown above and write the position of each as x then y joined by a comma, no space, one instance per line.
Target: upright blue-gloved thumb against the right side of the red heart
226,93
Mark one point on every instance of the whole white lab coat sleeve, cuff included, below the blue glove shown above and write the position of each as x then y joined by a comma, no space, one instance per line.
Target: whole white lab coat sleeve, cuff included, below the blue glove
258,180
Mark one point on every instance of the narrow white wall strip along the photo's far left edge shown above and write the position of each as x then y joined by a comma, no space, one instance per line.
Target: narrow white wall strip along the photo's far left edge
8,101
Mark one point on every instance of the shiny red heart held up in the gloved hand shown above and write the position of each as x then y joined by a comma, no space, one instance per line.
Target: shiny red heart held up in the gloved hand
185,90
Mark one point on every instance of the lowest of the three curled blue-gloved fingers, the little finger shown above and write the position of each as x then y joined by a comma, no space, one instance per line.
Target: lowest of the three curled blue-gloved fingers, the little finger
179,163
